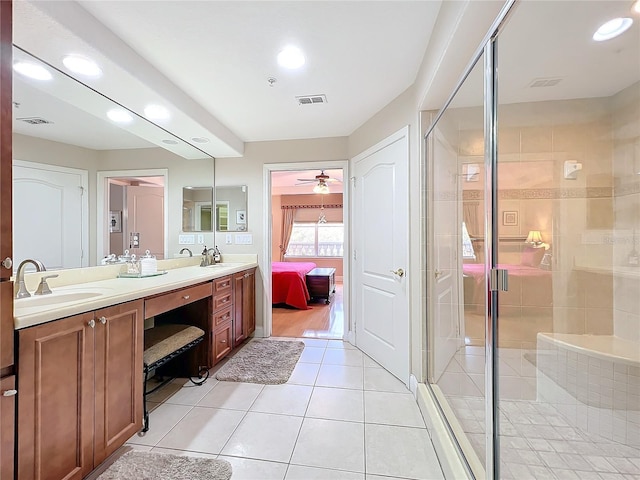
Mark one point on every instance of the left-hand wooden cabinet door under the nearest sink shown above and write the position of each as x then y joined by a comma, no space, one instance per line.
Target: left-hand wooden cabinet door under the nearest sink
56,403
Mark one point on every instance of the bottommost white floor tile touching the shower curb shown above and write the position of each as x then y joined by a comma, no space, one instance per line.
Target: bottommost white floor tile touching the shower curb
401,451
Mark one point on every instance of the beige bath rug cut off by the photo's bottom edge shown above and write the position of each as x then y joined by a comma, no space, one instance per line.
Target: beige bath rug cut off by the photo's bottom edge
141,465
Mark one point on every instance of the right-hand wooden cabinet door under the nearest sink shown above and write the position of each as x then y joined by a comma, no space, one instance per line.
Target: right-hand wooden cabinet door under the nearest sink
118,377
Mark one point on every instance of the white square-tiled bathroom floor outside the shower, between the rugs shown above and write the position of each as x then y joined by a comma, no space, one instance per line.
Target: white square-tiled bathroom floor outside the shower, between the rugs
340,416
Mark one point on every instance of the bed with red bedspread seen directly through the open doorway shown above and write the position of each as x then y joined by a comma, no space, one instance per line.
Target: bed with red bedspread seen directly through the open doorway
289,284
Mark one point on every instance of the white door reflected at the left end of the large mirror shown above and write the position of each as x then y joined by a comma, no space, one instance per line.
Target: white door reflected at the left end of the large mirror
50,199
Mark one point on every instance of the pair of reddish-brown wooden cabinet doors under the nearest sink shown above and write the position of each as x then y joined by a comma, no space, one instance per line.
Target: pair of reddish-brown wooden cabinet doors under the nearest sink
80,381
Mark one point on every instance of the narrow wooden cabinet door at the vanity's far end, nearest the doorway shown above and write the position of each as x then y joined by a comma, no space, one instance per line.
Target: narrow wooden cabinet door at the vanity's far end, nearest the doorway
244,304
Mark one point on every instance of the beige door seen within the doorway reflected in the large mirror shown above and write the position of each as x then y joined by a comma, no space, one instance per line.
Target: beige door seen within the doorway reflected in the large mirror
145,214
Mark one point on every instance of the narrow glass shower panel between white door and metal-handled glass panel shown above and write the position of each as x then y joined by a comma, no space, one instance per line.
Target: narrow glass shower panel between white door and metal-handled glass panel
456,273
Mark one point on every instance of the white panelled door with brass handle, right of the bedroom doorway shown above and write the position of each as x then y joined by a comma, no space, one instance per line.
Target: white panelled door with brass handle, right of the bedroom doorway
381,246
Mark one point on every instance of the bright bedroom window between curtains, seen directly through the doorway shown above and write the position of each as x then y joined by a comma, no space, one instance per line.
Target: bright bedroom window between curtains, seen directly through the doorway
316,240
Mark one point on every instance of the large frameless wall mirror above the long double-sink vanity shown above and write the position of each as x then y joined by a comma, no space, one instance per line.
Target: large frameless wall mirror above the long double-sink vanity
63,146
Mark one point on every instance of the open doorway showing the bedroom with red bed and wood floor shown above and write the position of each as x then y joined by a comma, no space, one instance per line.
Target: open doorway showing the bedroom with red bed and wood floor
307,244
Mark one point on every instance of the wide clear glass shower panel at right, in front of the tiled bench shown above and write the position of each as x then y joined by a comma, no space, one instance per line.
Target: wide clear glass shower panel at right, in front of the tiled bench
569,219
